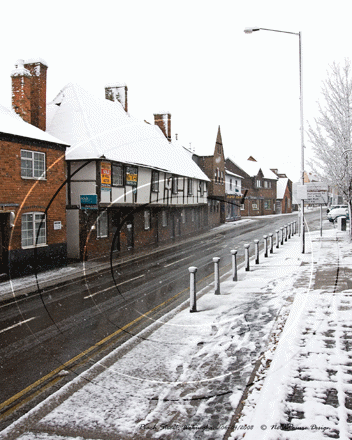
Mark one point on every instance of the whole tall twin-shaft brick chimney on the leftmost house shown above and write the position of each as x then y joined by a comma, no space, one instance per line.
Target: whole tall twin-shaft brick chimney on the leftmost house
29,91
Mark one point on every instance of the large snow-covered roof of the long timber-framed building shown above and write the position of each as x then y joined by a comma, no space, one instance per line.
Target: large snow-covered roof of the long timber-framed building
98,127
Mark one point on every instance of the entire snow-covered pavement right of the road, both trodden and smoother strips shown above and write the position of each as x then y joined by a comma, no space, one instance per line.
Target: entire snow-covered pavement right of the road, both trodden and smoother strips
185,378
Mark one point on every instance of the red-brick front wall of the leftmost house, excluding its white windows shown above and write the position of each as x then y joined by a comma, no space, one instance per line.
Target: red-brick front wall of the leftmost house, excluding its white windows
22,196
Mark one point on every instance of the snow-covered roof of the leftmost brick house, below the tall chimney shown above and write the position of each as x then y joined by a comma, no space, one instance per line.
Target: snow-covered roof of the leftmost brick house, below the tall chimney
12,123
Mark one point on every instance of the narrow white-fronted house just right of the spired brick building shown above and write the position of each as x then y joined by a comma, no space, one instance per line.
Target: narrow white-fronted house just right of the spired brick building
233,195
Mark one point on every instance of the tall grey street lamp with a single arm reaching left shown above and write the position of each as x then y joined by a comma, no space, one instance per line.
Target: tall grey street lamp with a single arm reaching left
250,30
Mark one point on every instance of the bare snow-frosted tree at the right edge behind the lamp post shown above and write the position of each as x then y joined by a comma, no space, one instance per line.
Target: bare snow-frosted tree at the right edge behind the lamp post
331,135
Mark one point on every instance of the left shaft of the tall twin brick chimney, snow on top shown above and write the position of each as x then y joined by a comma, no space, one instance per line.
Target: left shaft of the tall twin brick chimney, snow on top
21,91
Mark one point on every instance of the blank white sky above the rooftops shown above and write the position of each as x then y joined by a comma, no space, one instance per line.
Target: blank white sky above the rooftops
193,59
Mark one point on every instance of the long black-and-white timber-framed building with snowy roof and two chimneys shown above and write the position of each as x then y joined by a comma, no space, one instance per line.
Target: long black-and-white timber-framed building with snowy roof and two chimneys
128,186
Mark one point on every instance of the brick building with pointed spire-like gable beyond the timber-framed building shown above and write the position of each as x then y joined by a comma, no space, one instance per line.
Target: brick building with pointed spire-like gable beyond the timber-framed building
214,167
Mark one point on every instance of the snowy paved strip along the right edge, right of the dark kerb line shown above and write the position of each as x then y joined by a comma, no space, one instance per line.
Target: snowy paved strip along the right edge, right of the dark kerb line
308,386
